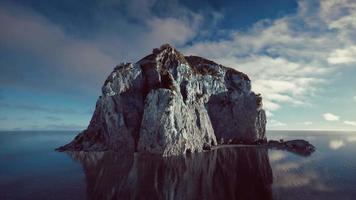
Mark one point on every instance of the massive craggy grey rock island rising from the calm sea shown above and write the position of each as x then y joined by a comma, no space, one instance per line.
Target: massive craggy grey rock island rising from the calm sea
169,104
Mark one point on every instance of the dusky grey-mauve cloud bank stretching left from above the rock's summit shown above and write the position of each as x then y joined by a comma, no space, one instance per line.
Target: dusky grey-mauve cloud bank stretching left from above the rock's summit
54,53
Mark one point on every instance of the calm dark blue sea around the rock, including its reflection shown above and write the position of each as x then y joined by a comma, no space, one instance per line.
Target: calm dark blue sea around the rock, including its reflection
31,169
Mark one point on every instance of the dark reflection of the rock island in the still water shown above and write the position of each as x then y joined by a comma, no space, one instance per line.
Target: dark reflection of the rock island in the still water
230,173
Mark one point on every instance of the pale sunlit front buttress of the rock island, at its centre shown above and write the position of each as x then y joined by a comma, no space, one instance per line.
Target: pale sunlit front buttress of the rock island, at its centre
188,126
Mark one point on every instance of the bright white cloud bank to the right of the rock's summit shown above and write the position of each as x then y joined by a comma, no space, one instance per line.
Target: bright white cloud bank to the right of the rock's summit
291,58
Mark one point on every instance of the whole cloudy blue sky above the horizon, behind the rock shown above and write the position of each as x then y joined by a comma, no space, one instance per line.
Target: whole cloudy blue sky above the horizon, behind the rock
300,55
